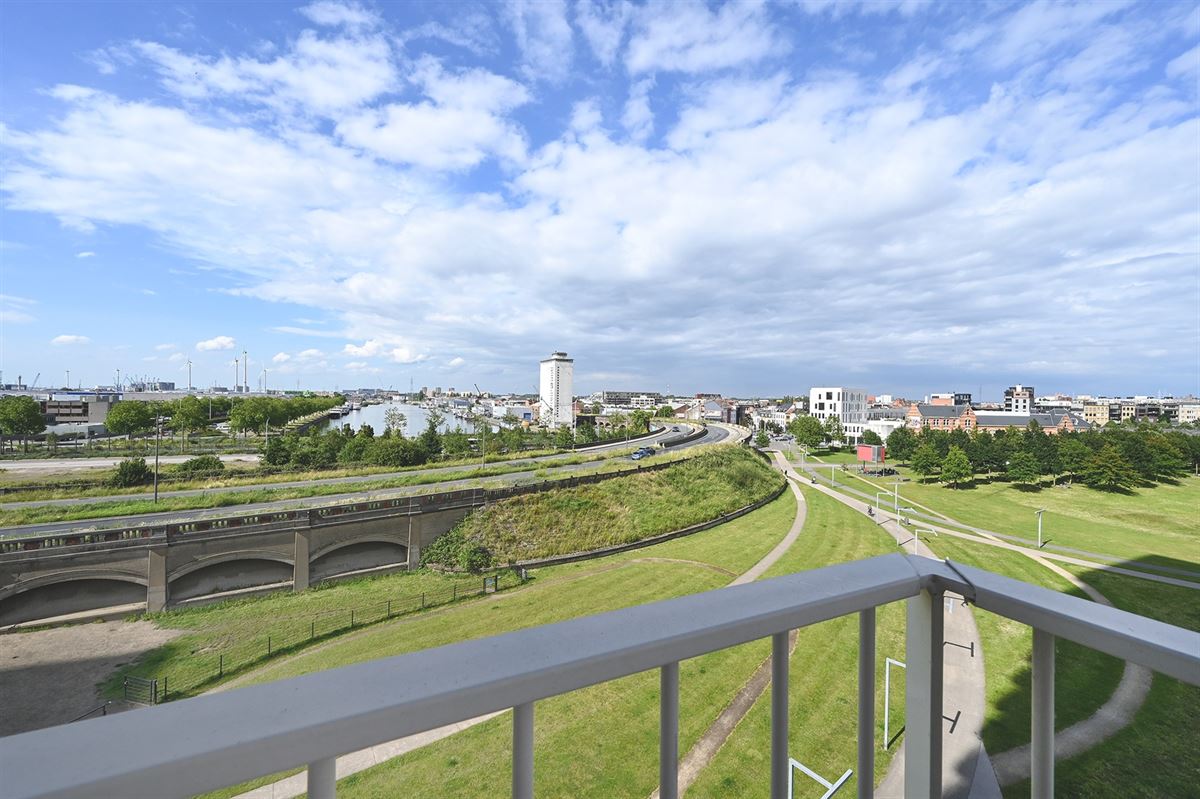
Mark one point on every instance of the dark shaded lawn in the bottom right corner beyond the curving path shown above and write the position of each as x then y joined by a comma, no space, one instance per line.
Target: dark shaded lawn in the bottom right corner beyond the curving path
1157,755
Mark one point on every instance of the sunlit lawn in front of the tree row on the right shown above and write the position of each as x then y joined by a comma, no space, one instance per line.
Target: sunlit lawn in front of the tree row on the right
1151,525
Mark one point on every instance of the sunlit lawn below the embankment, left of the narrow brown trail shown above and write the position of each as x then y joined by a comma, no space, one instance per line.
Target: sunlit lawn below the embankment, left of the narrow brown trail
473,762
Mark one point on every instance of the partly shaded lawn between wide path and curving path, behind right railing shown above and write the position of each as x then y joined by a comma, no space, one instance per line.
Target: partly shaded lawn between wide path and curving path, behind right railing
1085,678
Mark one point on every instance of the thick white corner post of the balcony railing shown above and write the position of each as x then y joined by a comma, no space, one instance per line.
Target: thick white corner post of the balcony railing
923,698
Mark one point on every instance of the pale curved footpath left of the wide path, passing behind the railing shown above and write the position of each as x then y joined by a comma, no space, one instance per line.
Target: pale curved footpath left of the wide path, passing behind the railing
355,762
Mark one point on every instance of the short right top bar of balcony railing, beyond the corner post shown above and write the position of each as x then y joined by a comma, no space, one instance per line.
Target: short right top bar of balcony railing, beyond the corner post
1155,645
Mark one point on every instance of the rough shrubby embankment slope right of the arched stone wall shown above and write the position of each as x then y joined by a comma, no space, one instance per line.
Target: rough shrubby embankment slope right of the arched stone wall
609,514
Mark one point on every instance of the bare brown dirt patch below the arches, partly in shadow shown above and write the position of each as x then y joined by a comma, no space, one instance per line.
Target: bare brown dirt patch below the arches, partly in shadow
51,677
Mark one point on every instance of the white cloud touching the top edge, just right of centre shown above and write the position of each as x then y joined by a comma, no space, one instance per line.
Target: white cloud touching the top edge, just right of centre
689,38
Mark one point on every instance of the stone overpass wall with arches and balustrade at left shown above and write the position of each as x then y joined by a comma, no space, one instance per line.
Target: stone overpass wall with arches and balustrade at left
190,561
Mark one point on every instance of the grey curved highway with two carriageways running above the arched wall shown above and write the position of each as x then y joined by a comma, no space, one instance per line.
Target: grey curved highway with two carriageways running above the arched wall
713,435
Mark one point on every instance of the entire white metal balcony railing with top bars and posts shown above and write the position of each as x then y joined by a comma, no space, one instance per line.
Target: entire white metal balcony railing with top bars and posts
212,742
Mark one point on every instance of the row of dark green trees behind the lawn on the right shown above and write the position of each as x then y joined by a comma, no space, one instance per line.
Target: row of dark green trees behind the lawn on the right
1111,460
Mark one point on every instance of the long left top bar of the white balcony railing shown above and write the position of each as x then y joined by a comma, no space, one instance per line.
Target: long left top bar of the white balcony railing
211,742
